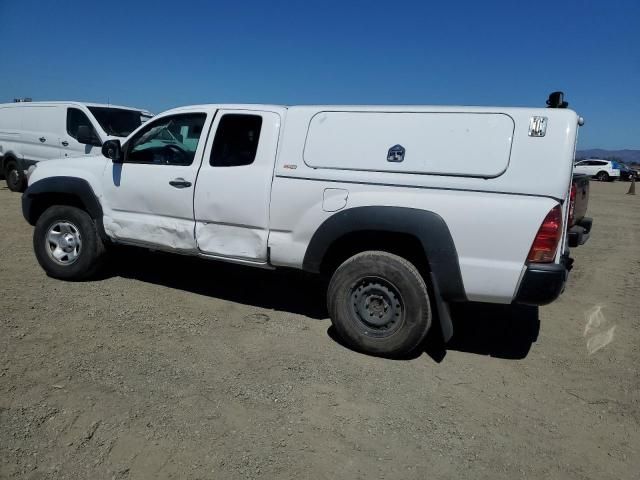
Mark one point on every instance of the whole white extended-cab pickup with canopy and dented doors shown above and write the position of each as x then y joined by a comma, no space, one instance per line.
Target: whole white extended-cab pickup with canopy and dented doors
405,208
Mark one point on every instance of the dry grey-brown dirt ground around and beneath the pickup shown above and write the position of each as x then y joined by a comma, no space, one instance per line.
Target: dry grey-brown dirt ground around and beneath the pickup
174,368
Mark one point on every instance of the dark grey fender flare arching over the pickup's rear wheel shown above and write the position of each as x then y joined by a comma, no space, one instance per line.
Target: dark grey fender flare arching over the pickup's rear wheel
428,227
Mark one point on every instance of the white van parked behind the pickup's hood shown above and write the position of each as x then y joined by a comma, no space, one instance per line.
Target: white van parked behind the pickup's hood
31,132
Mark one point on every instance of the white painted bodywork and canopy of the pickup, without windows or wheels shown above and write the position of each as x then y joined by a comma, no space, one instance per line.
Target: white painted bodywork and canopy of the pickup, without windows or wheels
277,203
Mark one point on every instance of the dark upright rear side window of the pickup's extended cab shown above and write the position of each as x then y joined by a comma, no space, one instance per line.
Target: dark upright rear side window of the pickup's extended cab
236,140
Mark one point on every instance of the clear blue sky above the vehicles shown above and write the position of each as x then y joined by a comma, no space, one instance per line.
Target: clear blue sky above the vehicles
163,54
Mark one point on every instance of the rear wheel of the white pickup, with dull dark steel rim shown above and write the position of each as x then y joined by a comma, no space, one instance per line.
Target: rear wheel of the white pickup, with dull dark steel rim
379,304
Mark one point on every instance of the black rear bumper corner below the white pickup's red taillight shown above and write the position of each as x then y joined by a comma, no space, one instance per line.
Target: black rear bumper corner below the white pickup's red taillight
542,283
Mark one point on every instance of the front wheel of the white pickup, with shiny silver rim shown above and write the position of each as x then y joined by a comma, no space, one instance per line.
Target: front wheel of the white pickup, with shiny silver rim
86,245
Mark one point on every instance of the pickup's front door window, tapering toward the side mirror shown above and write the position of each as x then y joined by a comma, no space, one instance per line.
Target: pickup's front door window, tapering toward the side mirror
168,141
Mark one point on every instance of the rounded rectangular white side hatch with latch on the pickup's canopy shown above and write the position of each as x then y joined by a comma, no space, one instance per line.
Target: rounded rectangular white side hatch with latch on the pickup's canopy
471,144
